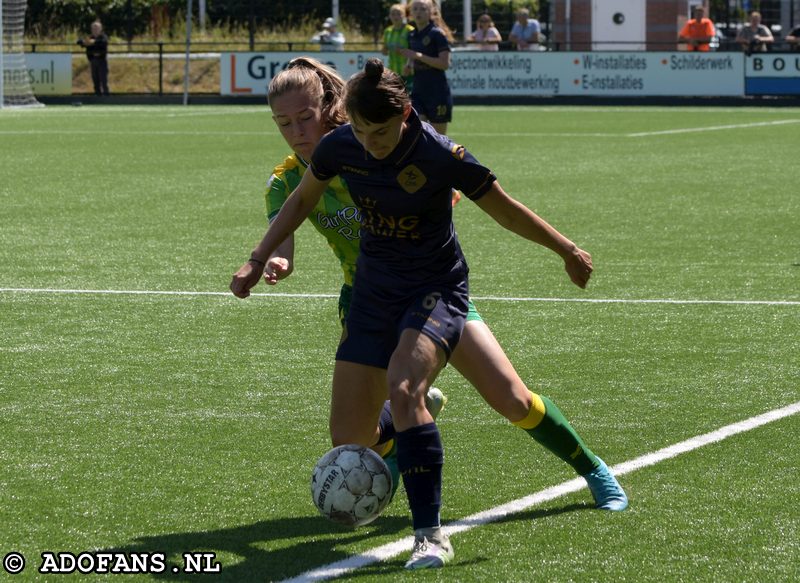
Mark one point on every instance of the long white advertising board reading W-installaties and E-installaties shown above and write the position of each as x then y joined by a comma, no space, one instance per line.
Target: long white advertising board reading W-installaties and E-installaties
525,74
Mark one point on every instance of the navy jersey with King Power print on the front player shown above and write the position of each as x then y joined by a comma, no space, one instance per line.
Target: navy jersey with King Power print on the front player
407,234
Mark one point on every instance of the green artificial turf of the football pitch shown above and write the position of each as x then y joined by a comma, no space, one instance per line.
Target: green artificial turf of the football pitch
158,413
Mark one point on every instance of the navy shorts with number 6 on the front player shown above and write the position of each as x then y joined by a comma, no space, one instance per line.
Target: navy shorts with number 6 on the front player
374,325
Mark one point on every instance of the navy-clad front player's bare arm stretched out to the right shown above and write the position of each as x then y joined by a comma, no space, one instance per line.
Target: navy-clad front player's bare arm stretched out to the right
519,219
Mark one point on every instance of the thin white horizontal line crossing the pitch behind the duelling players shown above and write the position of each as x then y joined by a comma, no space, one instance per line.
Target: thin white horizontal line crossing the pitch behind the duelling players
32,290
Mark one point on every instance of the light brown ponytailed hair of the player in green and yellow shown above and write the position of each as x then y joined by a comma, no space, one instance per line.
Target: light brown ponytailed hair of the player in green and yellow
319,81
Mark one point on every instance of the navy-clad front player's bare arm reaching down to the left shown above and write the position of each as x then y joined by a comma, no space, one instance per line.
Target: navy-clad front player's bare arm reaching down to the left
292,213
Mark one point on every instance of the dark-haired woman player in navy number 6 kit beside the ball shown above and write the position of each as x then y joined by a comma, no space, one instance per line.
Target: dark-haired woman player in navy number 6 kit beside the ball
409,300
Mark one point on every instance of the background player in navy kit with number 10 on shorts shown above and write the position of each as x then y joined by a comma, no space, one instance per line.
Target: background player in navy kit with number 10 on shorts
428,53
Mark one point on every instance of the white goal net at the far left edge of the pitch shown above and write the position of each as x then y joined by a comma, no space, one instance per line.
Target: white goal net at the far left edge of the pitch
15,86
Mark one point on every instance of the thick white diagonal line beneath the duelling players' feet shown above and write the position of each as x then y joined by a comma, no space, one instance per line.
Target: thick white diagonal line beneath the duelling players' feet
393,549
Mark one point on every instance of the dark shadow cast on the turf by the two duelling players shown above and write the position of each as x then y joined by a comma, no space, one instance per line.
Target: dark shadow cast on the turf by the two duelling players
298,544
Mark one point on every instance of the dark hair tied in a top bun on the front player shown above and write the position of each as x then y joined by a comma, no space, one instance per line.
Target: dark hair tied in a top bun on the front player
375,94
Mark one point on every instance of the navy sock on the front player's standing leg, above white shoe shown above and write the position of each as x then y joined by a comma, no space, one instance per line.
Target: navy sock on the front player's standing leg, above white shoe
420,458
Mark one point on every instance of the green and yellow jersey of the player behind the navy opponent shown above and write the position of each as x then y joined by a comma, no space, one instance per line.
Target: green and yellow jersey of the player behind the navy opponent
335,215
